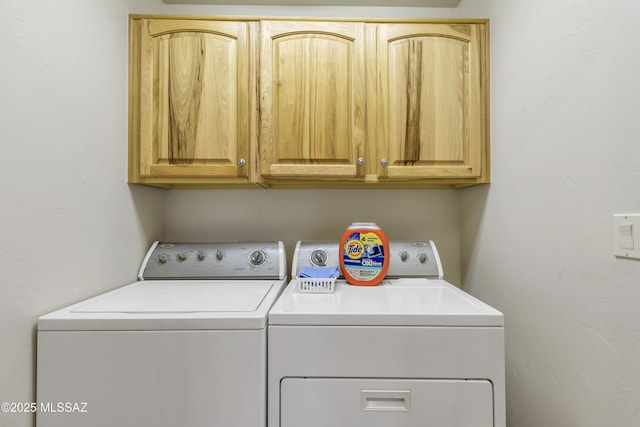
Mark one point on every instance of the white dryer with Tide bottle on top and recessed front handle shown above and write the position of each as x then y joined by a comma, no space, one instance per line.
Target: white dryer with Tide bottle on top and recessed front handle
412,351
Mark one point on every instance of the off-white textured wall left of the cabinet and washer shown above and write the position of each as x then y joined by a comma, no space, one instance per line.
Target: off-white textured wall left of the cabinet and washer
70,226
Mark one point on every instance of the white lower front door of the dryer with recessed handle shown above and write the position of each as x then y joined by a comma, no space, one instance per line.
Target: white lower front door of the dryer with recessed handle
349,402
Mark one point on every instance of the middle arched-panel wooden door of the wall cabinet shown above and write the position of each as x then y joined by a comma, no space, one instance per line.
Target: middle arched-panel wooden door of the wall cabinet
312,99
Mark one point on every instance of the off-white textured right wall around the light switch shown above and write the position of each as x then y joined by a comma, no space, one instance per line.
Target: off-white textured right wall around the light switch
538,242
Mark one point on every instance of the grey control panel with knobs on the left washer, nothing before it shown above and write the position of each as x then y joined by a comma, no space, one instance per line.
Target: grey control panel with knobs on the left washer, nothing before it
214,260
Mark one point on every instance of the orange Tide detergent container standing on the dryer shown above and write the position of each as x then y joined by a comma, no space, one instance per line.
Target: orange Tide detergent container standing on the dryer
364,258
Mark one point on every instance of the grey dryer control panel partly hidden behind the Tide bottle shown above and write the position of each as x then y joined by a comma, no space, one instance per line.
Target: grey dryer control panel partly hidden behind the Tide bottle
407,258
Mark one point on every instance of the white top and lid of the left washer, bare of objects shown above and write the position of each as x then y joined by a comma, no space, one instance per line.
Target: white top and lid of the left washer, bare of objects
171,305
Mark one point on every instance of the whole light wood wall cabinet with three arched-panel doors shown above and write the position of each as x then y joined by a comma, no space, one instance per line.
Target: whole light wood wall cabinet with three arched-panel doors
325,103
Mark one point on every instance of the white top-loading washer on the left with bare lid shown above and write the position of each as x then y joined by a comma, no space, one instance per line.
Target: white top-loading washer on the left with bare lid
184,346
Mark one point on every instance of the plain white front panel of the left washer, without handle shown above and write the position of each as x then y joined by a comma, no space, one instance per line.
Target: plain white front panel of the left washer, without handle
153,378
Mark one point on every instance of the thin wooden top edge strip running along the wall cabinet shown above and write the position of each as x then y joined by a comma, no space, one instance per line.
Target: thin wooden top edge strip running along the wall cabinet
248,18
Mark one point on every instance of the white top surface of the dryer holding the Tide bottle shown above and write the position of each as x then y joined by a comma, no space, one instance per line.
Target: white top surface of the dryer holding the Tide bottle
396,302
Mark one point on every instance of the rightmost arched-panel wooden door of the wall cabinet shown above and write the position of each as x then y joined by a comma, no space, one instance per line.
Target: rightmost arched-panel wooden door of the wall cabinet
433,97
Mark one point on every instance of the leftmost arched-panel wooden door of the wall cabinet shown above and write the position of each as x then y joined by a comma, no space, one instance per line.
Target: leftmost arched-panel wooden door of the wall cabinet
194,87
